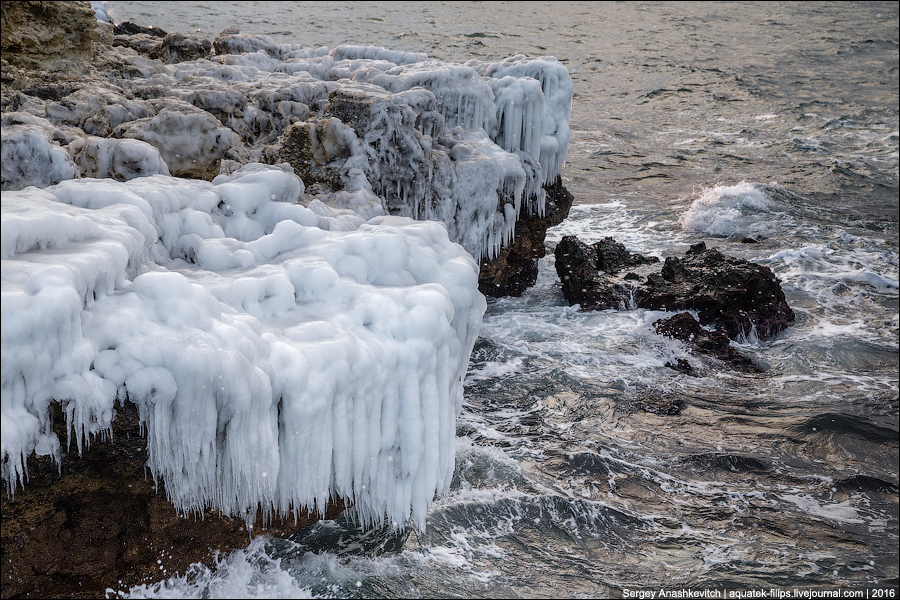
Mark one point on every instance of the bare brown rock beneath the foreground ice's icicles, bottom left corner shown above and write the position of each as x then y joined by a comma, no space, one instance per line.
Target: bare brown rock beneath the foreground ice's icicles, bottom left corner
98,521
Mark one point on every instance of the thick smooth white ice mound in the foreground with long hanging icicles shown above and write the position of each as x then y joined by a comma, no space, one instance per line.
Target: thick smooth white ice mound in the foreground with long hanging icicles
279,353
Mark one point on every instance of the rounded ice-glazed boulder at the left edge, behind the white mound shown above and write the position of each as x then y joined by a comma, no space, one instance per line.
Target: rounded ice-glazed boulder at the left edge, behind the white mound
31,157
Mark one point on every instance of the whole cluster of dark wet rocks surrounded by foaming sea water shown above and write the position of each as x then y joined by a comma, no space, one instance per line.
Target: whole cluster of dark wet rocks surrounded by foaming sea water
740,299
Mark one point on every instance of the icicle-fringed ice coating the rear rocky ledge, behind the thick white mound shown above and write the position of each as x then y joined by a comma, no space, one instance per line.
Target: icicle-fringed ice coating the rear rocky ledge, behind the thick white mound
239,105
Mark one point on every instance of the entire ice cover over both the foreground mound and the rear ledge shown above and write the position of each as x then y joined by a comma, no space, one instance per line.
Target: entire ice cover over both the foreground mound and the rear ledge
287,331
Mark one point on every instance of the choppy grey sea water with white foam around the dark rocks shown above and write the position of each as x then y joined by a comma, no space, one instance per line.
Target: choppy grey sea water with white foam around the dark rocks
690,122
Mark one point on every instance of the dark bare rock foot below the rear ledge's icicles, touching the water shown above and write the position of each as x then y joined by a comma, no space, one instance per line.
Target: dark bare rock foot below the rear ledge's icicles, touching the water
515,269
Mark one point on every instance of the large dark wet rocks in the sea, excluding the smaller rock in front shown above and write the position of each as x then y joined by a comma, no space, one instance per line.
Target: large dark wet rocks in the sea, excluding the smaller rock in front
736,296
